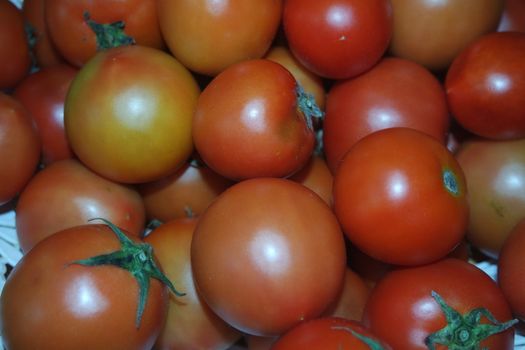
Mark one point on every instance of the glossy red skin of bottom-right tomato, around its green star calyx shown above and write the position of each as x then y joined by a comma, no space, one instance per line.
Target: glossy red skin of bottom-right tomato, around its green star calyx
401,310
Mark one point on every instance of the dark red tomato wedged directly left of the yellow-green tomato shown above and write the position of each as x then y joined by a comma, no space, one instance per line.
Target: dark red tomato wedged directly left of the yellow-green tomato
43,93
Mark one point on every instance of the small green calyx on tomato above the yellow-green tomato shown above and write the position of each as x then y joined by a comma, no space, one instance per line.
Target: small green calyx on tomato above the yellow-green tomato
109,35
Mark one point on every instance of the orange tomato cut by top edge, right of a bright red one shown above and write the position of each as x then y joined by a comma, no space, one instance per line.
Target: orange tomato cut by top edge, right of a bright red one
432,33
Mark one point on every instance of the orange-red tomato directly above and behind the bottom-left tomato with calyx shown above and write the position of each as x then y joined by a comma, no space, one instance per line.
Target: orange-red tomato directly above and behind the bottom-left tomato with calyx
66,194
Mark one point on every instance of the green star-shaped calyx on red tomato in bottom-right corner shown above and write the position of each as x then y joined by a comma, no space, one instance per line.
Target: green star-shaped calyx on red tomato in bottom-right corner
465,332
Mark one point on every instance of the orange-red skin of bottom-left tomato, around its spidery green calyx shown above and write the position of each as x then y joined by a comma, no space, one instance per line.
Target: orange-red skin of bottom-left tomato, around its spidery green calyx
48,303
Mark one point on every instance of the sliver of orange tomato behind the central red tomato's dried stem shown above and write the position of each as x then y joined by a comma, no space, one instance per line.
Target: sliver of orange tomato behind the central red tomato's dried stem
310,82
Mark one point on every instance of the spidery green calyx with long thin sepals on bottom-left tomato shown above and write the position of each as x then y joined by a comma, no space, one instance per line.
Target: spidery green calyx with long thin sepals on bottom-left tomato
137,258
